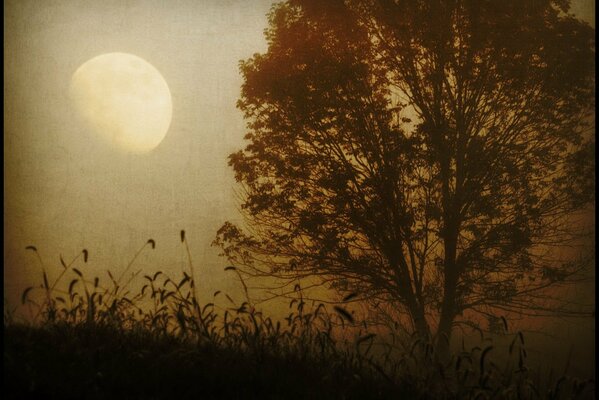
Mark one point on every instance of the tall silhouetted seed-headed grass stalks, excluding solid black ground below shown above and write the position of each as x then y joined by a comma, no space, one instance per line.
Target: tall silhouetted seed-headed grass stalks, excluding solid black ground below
167,309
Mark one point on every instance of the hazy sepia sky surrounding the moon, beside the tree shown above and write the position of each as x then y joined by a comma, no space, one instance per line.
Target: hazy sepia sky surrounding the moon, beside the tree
65,190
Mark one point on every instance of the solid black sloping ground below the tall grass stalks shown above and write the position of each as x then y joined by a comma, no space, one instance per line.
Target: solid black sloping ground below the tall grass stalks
81,362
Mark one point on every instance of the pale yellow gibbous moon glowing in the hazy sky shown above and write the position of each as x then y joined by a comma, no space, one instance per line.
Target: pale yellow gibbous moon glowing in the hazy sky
124,99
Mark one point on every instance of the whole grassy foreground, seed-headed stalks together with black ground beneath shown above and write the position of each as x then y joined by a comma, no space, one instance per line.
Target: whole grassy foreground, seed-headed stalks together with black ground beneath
93,341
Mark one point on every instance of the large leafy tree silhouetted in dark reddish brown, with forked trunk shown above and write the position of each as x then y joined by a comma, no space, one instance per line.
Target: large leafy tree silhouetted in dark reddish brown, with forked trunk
424,153
